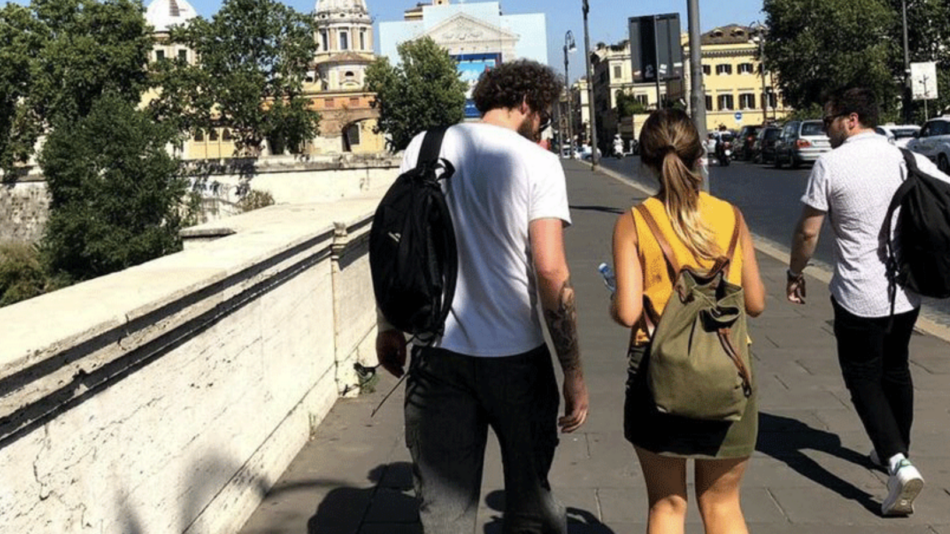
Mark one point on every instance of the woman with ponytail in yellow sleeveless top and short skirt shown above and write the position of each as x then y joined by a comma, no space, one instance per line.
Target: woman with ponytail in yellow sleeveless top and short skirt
698,228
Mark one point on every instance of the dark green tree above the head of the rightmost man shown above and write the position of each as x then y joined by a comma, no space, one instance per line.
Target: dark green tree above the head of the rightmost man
824,45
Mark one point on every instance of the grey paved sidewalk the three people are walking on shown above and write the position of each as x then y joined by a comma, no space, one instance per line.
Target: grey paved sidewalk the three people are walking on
809,474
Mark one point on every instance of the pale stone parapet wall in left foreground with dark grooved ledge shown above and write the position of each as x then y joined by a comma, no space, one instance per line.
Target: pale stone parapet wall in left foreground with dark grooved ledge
169,397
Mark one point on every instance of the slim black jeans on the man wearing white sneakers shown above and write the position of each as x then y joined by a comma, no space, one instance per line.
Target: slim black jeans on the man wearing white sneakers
876,371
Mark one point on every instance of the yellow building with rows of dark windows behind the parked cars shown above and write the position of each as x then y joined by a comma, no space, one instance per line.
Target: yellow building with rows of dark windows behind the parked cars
733,80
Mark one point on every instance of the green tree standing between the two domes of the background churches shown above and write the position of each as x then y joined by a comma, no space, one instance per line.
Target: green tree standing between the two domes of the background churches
253,58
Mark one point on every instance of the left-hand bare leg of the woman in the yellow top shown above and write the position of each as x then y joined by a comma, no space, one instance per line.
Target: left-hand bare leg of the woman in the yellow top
666,491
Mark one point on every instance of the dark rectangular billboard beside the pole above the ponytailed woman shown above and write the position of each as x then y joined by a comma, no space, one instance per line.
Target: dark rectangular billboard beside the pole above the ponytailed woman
655,47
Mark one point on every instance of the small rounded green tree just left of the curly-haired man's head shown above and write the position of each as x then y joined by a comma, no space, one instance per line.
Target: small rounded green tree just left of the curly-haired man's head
422,92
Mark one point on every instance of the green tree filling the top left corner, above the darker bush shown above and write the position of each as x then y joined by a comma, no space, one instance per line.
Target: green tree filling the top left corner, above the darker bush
57,57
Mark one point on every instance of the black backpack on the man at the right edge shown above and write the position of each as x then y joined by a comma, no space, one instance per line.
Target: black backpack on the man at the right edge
923,231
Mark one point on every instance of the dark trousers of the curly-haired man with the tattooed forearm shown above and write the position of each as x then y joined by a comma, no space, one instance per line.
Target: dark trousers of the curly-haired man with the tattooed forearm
451,400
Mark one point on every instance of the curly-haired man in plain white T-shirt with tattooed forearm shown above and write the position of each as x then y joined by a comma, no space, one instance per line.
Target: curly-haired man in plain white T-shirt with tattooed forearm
492,368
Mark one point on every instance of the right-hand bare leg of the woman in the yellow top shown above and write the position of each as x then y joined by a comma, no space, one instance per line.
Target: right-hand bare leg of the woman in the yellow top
717,490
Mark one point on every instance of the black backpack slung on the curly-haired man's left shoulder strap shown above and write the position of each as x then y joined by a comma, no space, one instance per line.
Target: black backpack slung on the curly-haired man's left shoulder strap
412,251
